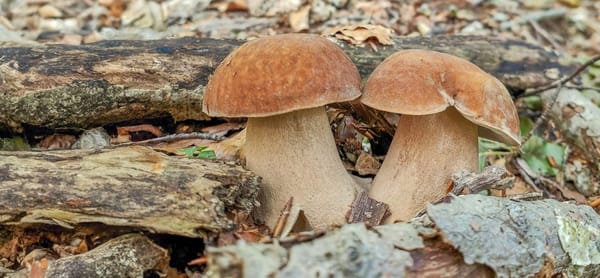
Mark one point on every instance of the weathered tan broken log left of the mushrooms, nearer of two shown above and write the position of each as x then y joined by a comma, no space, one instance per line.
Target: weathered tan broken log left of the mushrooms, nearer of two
132,187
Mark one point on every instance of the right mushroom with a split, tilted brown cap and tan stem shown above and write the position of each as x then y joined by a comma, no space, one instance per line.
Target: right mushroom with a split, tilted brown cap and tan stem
445,103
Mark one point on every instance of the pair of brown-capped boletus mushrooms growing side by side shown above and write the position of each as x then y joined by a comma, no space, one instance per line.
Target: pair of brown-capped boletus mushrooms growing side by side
282,84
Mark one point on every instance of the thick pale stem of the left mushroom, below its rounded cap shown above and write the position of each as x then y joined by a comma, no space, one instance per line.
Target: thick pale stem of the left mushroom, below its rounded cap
296,155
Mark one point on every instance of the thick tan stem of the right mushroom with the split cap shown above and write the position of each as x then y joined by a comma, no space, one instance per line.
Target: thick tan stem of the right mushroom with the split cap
425,151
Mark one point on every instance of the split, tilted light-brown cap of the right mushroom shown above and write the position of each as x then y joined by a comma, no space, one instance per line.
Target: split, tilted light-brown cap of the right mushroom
421,82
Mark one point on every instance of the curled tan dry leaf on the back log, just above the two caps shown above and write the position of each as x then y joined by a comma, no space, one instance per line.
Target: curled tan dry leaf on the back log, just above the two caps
362,33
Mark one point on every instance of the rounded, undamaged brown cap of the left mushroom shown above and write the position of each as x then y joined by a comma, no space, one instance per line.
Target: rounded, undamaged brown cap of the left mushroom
279,74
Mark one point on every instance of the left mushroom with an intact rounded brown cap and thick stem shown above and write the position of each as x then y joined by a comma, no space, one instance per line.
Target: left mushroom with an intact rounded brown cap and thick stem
282,83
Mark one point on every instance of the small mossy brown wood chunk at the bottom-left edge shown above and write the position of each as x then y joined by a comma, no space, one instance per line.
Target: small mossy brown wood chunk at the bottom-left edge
125,256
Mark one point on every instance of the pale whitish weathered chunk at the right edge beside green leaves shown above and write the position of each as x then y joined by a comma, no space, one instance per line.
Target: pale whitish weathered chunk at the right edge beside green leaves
578,120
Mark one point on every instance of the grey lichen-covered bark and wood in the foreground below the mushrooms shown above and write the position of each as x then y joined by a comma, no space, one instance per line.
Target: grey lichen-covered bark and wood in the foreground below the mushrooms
470,236
